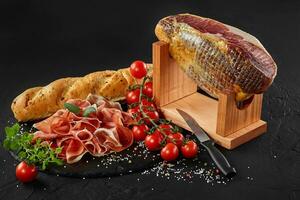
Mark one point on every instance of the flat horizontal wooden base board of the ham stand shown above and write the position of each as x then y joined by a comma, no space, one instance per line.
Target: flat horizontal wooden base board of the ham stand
205,111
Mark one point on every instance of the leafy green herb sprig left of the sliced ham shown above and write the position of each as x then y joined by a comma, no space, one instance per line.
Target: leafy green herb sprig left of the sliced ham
38,153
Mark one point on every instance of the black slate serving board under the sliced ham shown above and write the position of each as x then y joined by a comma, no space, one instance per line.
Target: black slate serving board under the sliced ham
133,159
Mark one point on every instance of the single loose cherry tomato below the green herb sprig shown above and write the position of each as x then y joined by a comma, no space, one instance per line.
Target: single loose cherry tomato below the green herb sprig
26,173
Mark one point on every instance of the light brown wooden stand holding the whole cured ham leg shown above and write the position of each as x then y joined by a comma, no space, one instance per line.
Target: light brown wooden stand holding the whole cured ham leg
227,125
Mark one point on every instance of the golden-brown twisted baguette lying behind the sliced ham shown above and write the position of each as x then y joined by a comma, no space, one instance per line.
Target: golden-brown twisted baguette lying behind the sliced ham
41,102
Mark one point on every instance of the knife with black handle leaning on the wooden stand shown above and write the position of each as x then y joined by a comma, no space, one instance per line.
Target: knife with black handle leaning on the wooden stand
208,144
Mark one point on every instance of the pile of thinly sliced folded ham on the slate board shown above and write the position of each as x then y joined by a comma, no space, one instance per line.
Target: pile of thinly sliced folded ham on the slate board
99,134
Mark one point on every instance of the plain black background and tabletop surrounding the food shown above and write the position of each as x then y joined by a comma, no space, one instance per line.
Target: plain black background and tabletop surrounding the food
41,41
